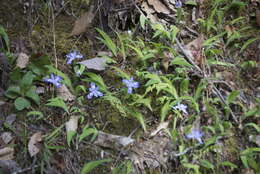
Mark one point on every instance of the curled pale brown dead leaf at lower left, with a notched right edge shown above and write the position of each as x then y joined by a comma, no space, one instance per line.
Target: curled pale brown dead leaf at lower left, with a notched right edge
32,145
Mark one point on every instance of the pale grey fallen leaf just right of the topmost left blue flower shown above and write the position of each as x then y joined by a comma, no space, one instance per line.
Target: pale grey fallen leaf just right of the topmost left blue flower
96,63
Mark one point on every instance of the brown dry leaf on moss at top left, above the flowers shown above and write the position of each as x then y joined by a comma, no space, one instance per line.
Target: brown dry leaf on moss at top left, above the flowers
83,22
